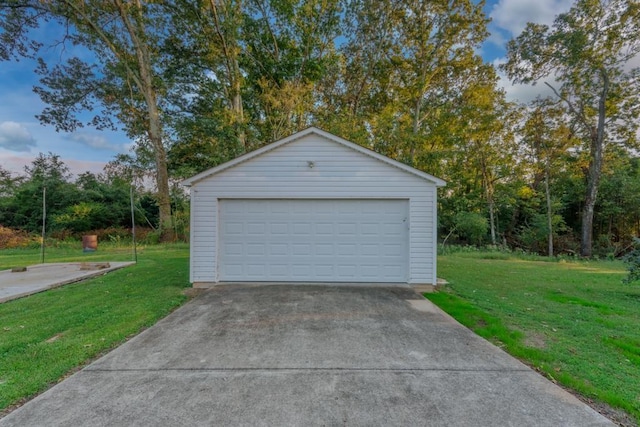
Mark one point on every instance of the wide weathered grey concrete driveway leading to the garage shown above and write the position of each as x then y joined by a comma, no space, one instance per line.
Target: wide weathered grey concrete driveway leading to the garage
306,355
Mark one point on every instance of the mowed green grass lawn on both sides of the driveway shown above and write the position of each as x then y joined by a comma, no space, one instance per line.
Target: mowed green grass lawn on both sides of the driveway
574,321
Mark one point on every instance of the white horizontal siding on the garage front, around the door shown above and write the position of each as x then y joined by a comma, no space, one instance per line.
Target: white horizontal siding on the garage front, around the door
338,172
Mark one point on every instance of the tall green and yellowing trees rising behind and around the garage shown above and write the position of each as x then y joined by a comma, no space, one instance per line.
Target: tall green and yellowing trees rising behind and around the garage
198,82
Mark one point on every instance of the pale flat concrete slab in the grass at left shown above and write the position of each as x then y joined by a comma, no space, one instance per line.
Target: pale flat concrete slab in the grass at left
40,277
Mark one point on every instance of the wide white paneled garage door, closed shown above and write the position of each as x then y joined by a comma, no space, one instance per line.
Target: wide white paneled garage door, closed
314,240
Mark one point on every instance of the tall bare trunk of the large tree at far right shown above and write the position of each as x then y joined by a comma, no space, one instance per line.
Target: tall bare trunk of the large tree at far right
595,170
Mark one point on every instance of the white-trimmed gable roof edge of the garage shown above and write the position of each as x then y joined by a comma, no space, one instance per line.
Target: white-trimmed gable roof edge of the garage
311,130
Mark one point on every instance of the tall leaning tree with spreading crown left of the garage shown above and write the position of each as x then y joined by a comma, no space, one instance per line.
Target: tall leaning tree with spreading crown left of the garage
125,75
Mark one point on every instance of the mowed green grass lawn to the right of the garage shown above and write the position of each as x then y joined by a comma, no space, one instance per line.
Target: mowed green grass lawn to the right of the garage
574,321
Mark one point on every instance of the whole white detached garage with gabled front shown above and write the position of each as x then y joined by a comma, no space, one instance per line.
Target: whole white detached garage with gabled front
313,207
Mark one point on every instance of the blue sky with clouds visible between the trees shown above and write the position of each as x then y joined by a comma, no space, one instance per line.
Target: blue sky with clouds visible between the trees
22,137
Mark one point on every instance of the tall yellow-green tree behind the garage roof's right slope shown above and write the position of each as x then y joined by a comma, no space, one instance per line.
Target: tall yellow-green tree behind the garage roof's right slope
404,62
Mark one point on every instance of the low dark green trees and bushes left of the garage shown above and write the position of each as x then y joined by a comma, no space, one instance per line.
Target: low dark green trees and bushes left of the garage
89,203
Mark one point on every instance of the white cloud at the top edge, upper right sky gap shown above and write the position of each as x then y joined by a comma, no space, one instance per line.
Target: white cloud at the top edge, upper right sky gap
513,15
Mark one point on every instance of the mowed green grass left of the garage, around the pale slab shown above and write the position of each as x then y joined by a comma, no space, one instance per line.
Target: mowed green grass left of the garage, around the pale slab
47,335
